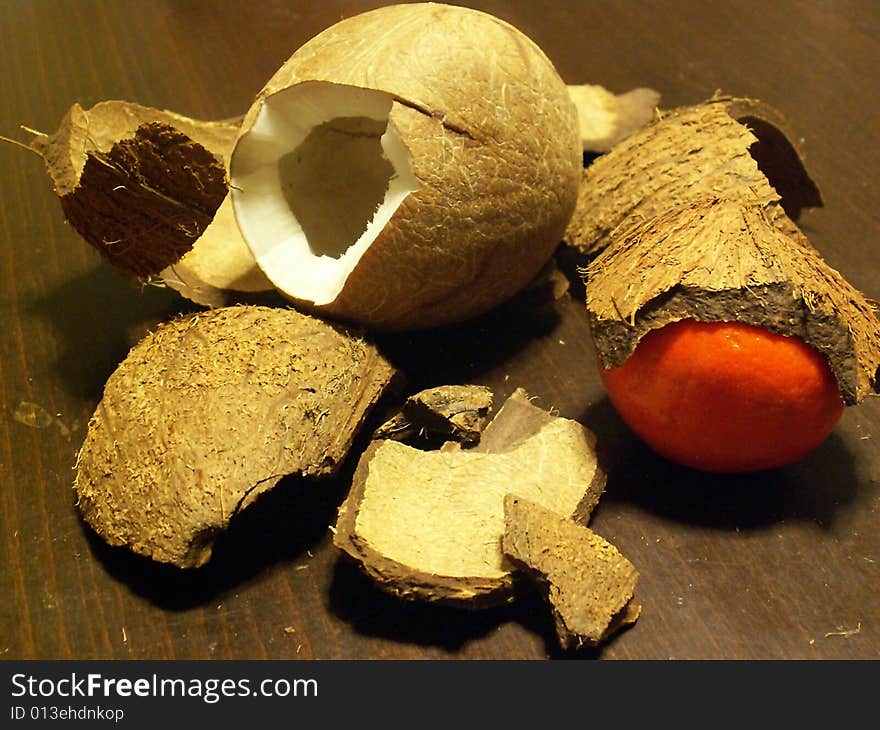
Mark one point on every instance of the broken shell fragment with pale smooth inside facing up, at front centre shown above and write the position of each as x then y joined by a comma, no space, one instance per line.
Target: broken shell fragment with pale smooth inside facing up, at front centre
428,524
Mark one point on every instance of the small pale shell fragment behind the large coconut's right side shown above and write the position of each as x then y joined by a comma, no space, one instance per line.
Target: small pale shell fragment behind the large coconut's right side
605,119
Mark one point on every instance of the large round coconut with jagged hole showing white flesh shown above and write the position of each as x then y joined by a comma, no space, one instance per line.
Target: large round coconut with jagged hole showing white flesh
408,167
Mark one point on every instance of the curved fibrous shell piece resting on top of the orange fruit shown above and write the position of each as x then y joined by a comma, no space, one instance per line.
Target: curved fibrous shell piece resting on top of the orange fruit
724,259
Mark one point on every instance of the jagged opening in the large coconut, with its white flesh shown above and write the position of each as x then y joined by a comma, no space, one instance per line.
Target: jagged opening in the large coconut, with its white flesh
315,180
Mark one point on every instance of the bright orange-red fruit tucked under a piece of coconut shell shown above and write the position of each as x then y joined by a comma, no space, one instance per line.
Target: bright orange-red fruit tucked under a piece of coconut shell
726,396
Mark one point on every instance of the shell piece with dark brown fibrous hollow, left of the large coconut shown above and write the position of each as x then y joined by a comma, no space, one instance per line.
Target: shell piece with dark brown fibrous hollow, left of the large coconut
133,183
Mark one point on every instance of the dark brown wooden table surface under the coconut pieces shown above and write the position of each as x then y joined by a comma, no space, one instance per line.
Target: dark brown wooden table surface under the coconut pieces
783,565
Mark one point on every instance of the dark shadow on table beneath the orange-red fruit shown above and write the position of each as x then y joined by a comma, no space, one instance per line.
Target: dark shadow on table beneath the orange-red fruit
815,489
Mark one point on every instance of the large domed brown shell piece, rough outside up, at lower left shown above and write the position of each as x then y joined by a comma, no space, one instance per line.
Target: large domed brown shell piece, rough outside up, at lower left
212,410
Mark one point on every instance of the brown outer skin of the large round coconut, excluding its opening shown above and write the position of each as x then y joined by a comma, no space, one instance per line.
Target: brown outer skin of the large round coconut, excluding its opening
493,143
